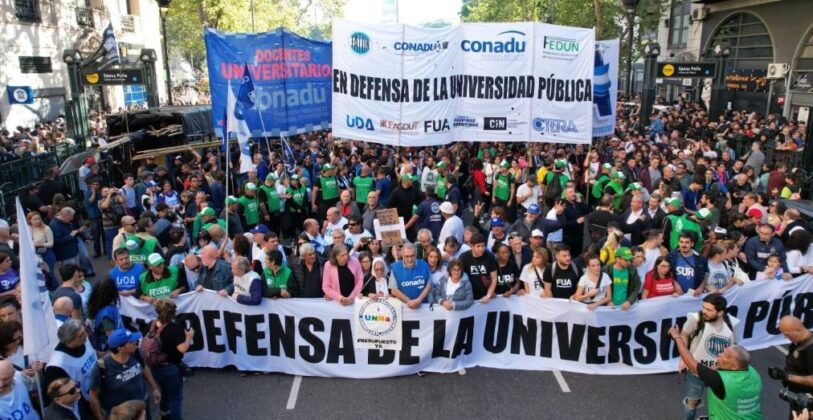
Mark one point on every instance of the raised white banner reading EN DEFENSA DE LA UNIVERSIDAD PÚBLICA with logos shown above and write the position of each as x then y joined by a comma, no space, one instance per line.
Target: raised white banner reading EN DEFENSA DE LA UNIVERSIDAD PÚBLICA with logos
401,85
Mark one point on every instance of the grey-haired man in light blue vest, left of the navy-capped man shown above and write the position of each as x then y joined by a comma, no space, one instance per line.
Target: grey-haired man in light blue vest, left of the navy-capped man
73,358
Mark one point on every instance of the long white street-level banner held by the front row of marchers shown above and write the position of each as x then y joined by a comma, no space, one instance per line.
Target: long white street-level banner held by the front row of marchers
315,337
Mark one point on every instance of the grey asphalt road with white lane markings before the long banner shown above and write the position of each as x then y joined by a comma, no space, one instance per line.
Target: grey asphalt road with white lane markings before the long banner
481,393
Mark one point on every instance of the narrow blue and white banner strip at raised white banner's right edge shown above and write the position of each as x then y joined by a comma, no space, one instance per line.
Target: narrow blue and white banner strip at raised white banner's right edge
605,87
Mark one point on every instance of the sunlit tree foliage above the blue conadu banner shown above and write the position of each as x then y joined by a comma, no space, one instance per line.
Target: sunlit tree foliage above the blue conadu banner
187,18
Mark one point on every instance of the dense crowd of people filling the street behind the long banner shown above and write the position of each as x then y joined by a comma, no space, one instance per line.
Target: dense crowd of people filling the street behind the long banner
653,212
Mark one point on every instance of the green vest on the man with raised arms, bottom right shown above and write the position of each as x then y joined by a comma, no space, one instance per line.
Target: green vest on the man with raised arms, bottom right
743,389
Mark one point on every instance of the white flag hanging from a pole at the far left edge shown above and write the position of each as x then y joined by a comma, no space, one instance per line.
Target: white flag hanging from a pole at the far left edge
39,323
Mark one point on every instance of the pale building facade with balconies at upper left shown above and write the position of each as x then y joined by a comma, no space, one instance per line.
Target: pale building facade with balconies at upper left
36,32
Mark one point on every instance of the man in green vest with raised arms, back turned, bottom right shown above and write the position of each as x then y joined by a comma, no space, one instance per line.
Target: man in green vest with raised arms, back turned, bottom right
734,387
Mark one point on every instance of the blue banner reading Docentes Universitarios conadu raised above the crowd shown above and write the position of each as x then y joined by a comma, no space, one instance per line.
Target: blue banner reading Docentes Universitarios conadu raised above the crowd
291,77
